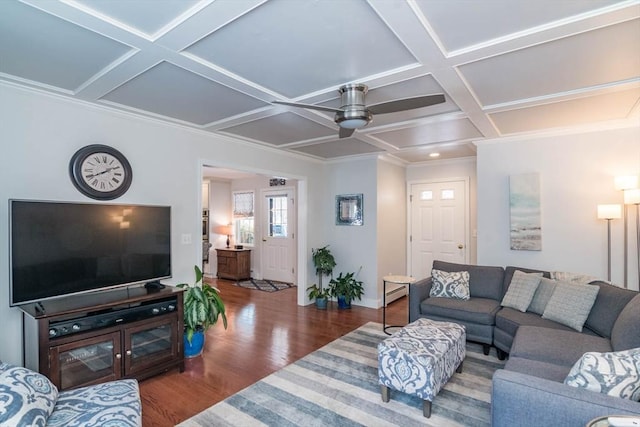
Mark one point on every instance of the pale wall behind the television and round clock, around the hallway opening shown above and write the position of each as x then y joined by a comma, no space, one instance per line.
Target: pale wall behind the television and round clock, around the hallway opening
39,134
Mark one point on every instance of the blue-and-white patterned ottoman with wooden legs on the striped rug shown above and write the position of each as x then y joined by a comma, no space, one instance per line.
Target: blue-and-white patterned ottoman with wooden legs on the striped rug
420,358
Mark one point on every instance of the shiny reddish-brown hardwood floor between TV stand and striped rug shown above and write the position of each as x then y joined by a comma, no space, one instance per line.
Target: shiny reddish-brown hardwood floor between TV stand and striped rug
266,332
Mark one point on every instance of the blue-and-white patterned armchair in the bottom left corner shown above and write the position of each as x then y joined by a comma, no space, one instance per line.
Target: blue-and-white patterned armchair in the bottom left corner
29,398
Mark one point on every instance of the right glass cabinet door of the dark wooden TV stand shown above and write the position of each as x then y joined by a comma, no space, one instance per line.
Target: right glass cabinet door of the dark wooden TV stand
150,344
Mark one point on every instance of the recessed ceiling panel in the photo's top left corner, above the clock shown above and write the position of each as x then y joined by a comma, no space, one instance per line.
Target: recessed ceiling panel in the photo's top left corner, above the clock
39,47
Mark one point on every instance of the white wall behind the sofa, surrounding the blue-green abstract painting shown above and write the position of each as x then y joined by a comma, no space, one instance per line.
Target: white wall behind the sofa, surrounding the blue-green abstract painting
576,174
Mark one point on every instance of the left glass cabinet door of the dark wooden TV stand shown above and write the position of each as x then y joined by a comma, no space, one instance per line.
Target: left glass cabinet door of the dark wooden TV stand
89,361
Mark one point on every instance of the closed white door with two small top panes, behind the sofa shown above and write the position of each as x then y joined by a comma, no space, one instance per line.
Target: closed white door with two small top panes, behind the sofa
438,225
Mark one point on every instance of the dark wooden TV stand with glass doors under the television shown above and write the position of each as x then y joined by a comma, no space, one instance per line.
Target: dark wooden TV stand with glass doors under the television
91,338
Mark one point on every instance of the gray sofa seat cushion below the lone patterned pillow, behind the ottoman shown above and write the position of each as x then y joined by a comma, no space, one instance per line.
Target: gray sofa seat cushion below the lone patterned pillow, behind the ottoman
475,310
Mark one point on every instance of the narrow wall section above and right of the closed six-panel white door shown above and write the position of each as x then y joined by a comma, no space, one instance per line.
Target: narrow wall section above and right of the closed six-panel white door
448,169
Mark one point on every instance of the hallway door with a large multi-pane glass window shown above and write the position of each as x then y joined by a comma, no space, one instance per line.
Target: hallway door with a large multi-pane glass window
278,240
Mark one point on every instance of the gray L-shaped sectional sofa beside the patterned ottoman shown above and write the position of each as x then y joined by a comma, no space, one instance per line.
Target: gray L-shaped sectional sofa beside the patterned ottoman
530,391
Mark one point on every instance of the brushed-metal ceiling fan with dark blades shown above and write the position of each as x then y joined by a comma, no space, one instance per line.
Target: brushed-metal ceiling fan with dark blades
354,114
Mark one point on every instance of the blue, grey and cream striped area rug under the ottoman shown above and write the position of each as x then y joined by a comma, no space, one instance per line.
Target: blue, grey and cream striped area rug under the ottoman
337,385
